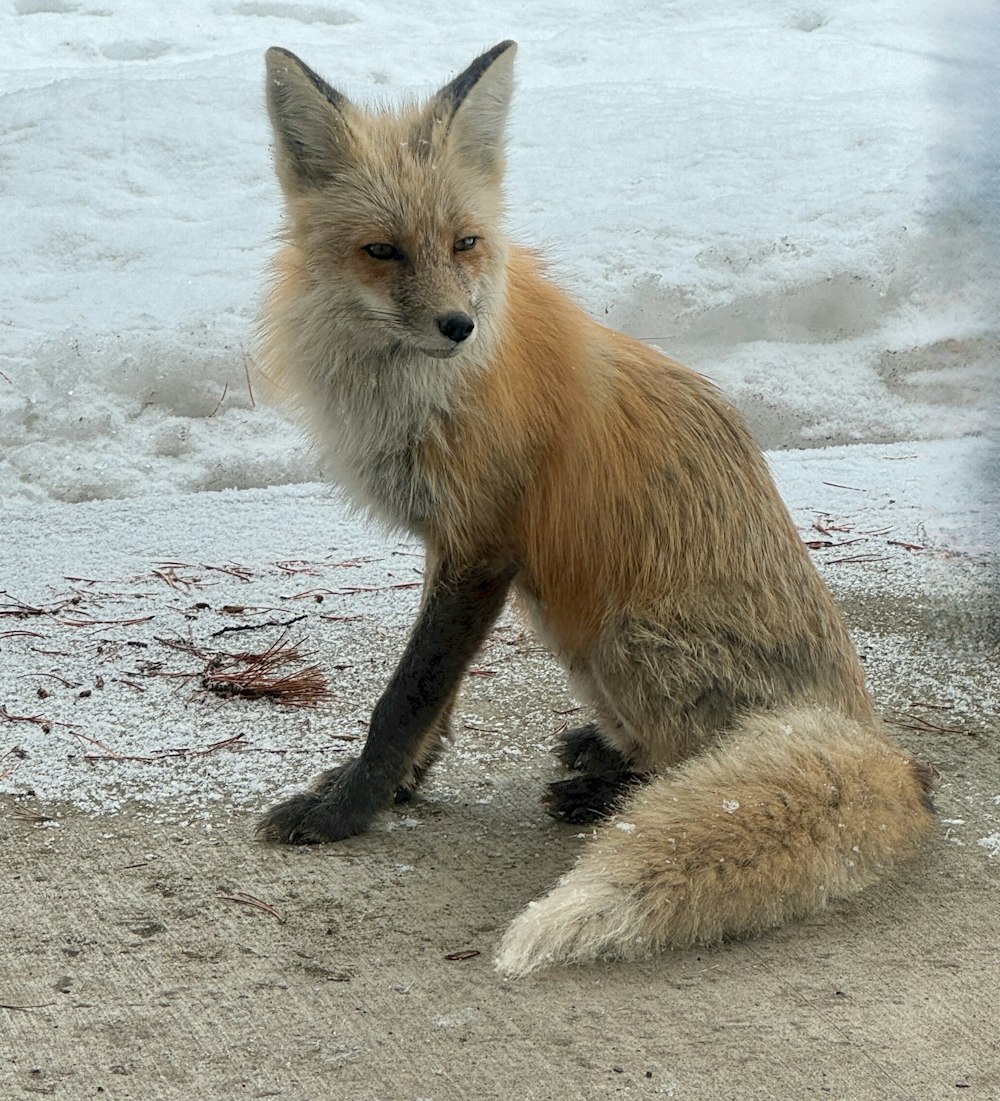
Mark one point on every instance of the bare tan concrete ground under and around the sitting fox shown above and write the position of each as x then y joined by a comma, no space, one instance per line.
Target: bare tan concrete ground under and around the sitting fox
149,958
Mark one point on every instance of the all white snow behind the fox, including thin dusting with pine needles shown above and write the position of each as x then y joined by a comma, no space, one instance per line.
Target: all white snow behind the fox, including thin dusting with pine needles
797,199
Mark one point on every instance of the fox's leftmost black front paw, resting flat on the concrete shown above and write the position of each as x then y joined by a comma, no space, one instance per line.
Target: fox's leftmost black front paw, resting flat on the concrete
341,806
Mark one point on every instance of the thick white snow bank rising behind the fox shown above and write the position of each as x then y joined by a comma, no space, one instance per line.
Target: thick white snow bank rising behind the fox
781,194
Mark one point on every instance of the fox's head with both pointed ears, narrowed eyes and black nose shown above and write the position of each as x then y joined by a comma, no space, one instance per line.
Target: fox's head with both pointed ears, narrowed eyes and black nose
397,215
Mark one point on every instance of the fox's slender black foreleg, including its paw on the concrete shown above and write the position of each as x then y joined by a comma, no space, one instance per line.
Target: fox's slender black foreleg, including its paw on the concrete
460,608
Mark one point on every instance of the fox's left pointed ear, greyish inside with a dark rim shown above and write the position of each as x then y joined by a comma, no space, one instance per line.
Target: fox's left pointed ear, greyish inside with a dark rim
311,133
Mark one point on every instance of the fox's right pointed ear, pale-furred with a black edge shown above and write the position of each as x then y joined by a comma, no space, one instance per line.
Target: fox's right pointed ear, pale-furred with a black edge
477,103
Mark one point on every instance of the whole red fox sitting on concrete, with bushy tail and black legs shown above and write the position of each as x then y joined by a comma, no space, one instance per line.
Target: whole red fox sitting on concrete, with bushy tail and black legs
735,756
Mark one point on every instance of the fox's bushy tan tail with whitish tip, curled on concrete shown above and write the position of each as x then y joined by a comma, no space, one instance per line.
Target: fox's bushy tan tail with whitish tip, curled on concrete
794,810
